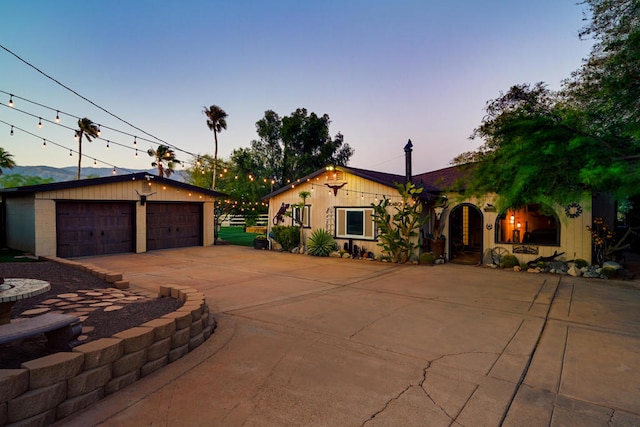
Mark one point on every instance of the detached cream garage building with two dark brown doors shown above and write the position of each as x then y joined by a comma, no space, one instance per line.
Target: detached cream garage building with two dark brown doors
100,216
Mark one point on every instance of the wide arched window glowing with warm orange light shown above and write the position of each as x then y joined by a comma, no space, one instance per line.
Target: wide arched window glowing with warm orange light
532,224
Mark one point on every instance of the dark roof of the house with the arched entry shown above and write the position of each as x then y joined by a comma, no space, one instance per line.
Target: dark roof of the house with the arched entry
434,182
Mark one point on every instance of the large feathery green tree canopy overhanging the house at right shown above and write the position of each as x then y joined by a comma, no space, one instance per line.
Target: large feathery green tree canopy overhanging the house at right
540,145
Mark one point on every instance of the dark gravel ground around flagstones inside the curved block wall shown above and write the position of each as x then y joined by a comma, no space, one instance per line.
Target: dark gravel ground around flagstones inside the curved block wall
66,279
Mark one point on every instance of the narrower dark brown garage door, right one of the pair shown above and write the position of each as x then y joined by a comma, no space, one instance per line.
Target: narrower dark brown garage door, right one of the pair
173,225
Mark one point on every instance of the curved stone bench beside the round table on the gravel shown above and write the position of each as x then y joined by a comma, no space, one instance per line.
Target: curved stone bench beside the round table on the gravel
59,329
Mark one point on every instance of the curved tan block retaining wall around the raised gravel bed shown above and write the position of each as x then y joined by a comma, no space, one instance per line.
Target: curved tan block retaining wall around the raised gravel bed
52,387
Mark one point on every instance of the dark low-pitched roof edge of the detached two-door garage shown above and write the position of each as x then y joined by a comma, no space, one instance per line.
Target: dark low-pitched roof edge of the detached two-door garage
55,186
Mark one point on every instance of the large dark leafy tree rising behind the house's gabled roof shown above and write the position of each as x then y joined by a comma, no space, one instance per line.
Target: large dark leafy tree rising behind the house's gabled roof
293,146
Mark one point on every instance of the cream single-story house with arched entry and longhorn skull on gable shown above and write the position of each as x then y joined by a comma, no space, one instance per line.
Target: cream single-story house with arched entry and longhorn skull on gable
341,199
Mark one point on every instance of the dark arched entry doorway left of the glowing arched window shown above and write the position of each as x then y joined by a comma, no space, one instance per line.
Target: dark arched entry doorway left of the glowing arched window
465,234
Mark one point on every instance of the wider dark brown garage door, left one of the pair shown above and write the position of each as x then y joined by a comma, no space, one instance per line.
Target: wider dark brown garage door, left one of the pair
94,228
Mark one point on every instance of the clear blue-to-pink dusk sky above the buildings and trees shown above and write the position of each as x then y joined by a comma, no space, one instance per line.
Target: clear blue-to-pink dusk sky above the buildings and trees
384,71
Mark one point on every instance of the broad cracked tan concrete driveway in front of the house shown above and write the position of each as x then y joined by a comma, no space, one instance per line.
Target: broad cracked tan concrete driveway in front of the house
307,341
